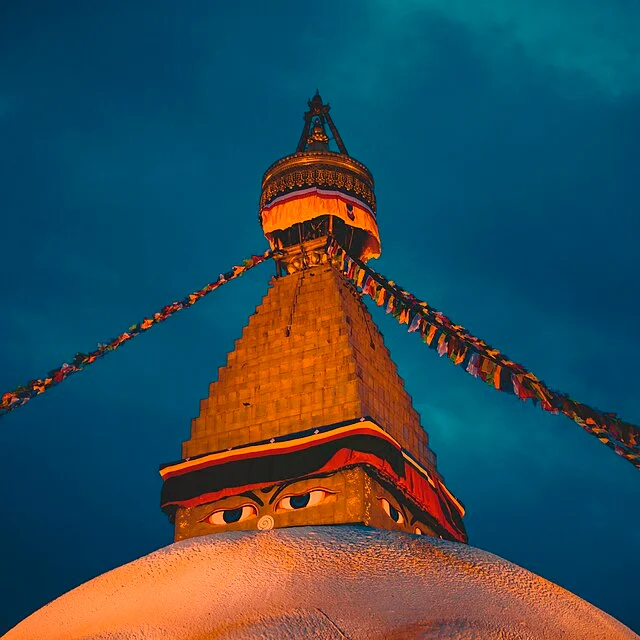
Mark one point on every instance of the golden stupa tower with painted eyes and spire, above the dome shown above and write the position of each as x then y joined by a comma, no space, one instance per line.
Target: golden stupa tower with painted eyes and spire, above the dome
309,422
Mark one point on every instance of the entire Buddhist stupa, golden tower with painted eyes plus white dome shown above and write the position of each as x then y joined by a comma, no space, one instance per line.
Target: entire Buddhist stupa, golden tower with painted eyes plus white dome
307,502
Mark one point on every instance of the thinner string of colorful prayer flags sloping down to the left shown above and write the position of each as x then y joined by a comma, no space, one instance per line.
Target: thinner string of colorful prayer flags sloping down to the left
19,396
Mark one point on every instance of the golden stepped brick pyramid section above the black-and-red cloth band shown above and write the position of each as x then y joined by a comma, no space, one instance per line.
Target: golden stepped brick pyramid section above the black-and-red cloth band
310,355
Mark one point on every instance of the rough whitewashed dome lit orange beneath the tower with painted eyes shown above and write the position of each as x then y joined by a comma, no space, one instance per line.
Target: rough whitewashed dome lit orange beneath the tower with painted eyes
319,582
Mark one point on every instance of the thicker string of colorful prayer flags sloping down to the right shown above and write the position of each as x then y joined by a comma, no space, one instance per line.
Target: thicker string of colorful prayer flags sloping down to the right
482,361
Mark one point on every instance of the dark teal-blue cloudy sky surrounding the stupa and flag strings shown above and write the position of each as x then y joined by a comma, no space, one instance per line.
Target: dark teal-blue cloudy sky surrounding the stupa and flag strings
503,137
